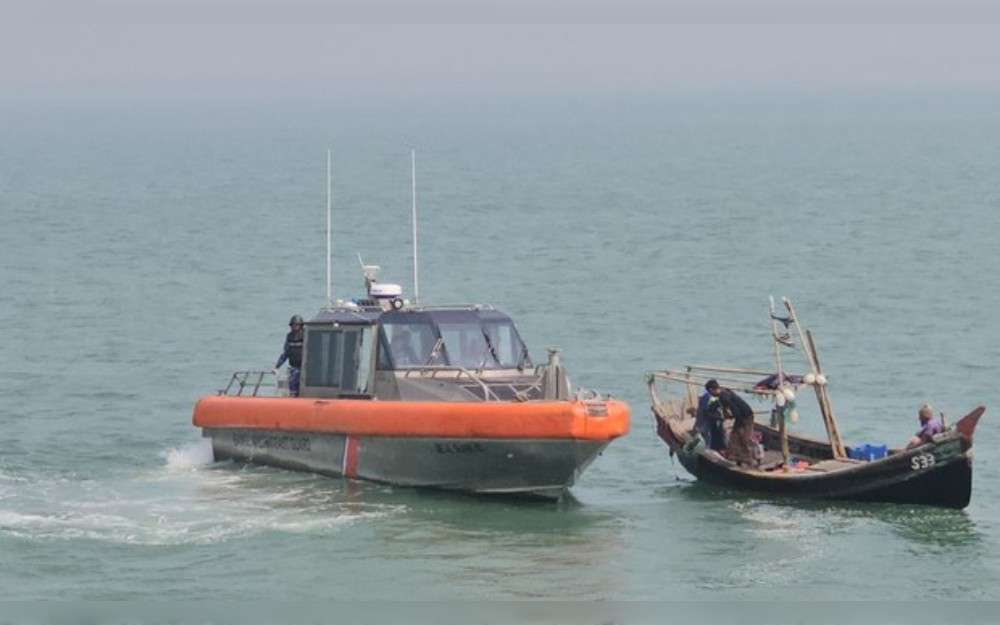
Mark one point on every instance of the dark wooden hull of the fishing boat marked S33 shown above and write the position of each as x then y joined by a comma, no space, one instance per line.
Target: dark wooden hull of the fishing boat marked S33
938,473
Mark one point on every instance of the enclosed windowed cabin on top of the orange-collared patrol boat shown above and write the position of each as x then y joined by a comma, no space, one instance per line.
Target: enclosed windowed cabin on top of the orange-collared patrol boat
462,353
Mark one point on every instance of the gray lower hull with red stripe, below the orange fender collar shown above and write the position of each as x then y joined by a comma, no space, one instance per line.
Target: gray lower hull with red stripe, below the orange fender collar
529,467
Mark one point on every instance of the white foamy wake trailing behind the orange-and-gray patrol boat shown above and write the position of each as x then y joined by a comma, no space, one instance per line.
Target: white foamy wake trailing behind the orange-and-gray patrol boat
187,500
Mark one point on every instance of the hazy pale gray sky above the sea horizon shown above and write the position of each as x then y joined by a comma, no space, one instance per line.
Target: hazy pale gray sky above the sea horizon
155,48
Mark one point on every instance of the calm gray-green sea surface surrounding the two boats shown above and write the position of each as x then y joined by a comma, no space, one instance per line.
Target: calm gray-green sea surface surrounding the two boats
148,249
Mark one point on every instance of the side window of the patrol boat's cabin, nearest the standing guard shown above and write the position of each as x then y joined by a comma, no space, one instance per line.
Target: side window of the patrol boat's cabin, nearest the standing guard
338,360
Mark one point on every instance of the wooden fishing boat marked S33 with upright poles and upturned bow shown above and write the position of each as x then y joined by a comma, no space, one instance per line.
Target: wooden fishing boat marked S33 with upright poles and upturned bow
937,472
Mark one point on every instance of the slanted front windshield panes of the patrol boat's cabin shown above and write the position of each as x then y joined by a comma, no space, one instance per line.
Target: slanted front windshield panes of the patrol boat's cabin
467,339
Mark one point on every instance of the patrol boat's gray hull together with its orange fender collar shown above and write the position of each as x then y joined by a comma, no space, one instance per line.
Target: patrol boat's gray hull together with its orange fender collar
535,449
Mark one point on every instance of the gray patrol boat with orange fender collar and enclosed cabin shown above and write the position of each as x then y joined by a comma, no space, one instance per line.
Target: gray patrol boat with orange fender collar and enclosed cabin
441,397
